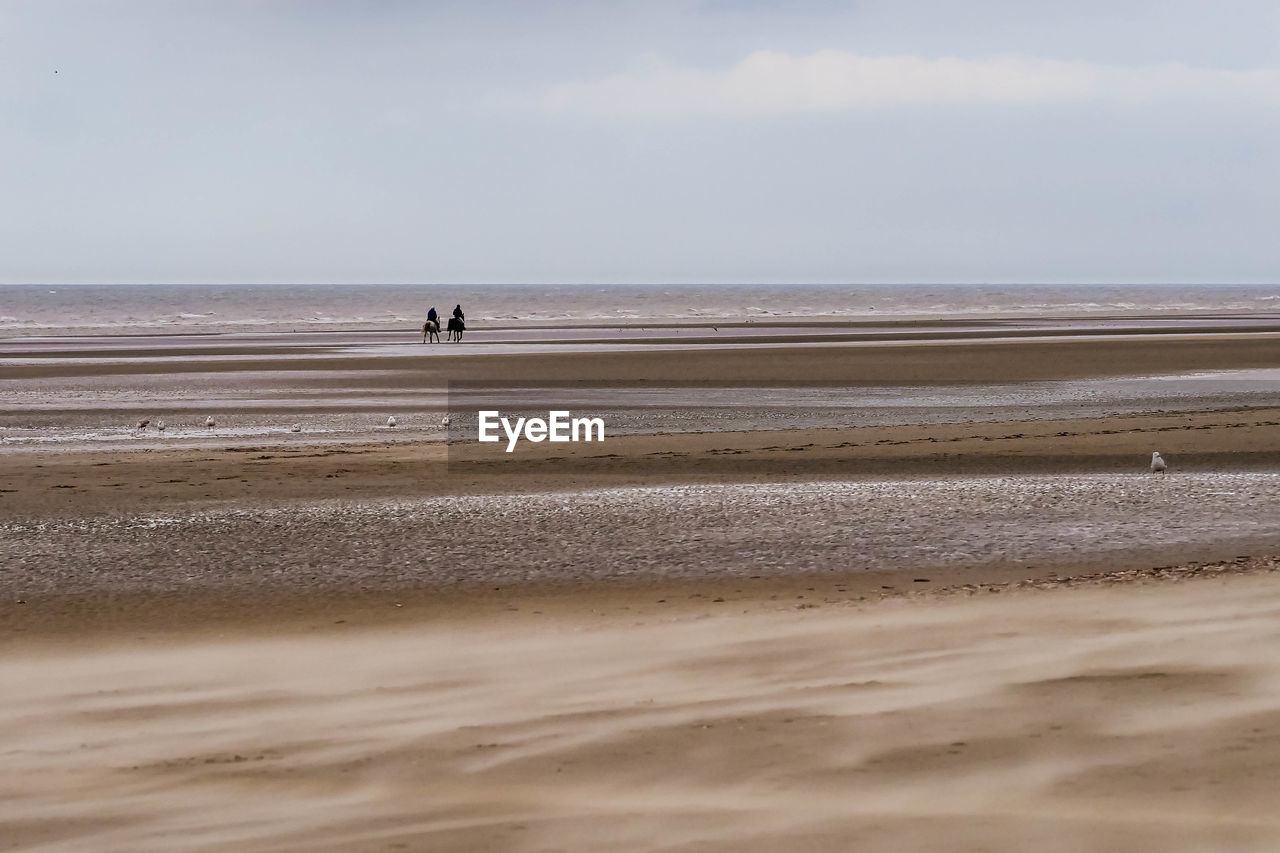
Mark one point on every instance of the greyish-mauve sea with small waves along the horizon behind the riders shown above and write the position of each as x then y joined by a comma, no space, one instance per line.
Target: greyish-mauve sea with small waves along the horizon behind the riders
135,309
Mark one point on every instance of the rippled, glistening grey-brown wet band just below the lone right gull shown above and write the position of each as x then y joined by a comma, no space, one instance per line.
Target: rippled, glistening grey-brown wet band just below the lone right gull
657,532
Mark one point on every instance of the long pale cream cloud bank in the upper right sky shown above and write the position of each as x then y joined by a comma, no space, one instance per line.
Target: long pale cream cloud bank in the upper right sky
772,84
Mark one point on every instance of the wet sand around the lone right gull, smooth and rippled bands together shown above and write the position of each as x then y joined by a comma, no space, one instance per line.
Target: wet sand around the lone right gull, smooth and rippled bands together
111,540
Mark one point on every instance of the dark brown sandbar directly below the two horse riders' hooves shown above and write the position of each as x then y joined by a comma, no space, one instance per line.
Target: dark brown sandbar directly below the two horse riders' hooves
784,361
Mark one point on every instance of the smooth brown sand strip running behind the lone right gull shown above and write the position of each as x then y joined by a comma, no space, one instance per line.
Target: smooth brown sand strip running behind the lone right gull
36,482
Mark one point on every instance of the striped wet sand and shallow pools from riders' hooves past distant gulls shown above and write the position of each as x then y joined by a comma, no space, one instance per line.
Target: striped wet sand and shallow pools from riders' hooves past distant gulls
89,394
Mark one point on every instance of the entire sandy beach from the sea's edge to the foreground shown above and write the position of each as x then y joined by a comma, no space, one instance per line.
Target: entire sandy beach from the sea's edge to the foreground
835,586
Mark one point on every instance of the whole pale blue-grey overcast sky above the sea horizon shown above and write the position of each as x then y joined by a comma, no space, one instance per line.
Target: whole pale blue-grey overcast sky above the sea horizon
826,142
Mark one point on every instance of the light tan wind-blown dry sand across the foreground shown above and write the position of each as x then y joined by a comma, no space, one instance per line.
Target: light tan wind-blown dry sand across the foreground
1100,719
